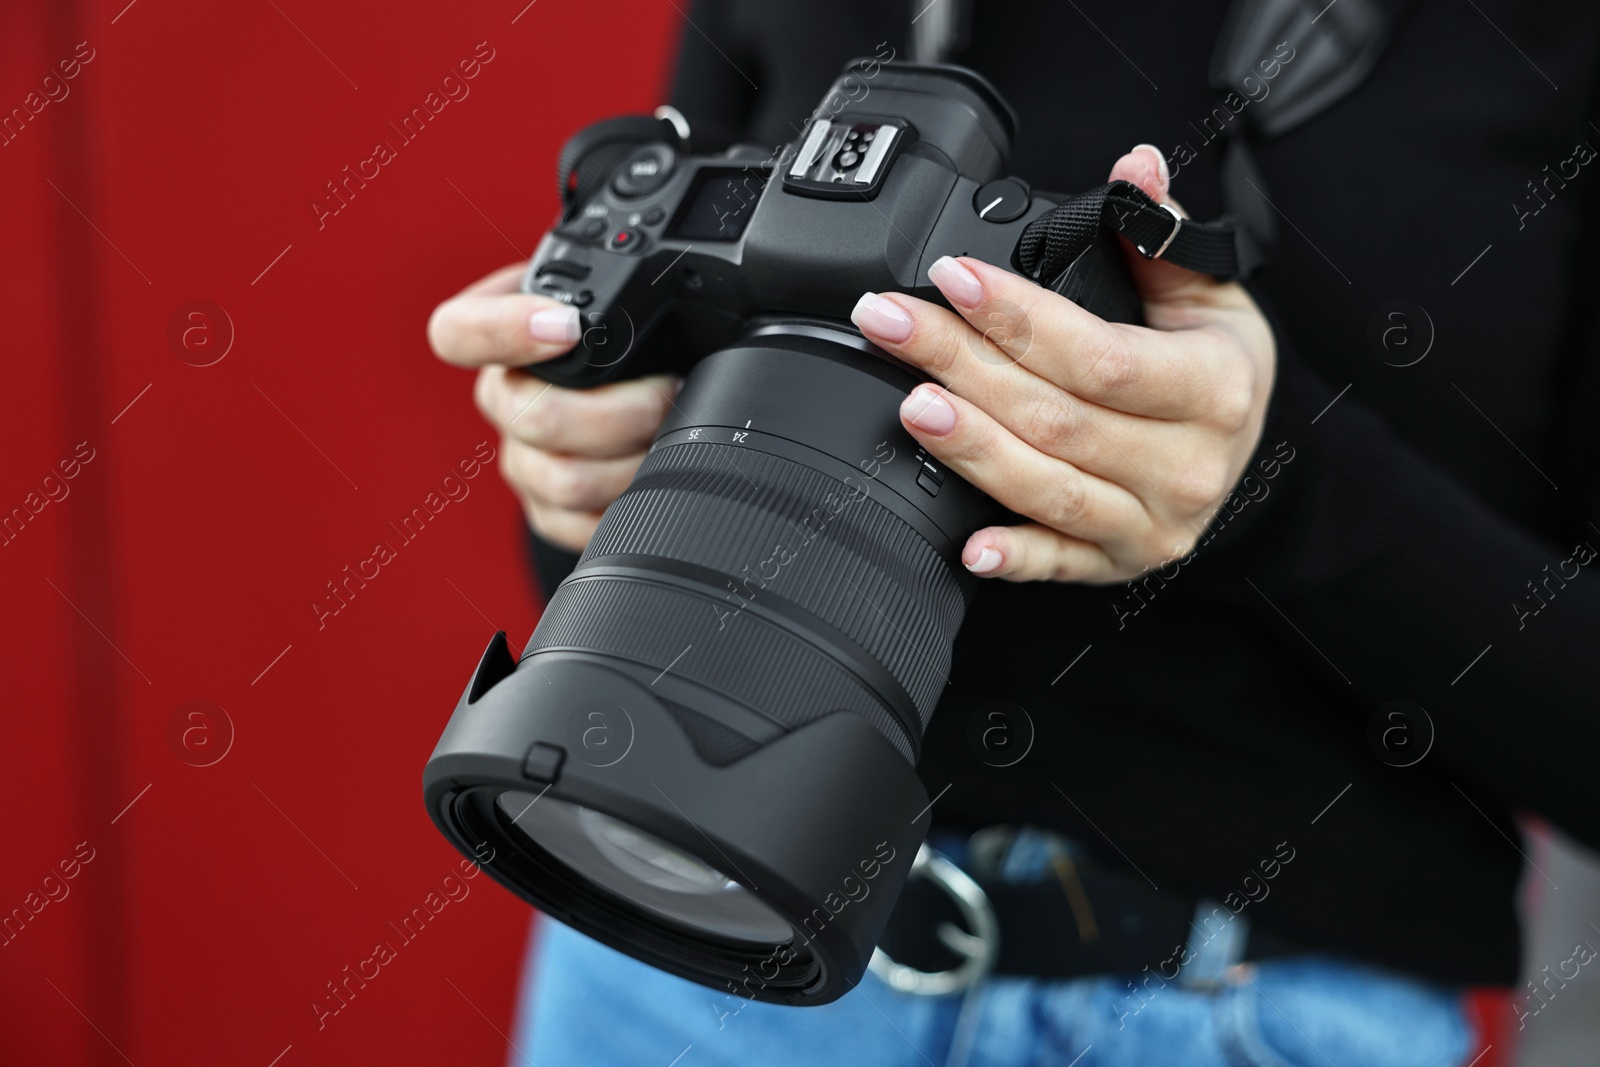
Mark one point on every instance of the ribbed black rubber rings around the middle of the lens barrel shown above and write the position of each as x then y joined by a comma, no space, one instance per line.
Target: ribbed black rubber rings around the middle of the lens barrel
788,546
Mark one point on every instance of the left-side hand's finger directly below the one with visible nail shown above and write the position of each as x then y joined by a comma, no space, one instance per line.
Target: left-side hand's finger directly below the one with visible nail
612,420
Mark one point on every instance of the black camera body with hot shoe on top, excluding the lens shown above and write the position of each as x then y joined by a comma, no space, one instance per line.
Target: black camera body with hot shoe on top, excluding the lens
678,255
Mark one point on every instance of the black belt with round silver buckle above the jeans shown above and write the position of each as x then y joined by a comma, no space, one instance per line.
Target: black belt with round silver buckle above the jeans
950,929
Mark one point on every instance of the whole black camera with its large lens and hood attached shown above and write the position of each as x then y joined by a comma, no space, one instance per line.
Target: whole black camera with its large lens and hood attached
706,754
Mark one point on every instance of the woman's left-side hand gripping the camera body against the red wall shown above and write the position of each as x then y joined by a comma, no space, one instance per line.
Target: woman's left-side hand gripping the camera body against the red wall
567,454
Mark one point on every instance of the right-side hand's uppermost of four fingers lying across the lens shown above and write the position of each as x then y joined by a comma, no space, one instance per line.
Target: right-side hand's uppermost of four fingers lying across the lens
1129,369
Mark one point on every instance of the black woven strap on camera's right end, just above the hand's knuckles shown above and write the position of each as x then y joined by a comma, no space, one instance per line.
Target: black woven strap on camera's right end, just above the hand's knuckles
1052,242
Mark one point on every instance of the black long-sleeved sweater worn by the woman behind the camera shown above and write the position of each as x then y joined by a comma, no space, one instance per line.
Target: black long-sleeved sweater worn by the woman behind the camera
1426,538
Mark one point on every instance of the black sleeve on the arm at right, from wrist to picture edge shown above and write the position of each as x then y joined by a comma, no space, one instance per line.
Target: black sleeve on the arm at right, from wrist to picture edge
1385,575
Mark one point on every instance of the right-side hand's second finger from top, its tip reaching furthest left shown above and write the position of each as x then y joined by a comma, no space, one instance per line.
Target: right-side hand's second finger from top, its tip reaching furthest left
1126,449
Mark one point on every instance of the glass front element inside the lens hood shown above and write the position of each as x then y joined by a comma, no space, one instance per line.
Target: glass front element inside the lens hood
642,869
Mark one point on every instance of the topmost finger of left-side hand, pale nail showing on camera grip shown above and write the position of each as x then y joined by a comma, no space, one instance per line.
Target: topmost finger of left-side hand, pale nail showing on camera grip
511,329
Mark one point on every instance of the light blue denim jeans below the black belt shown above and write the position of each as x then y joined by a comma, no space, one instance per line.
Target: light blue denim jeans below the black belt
586,1005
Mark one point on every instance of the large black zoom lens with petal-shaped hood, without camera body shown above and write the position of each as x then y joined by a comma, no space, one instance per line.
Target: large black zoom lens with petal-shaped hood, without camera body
706,754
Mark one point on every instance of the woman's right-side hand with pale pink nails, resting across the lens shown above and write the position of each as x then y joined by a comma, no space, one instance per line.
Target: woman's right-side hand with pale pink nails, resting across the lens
1119,442
